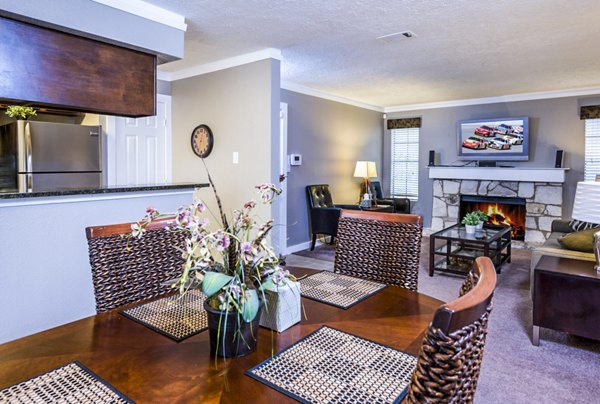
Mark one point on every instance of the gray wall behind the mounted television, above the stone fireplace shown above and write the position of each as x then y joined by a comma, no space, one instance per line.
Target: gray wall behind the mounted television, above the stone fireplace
553,124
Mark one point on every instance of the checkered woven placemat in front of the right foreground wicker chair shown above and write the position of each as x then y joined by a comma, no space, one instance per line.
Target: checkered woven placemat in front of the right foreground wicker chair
329,366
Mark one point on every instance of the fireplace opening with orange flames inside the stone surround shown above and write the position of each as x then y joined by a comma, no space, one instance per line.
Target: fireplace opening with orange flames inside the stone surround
500,210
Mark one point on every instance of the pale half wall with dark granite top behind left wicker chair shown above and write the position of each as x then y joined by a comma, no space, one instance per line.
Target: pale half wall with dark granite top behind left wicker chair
44,261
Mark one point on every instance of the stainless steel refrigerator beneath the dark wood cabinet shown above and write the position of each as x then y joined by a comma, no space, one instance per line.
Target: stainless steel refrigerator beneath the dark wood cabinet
44,156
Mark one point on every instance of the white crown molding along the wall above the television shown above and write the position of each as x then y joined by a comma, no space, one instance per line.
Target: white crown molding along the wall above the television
499,99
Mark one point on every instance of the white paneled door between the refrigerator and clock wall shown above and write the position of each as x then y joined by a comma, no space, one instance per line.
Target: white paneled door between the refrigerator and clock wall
143,147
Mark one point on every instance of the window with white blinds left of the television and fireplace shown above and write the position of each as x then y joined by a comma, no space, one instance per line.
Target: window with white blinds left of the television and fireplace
405,163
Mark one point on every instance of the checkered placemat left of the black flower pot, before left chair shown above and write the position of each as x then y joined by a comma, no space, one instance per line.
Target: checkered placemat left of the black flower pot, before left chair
176,317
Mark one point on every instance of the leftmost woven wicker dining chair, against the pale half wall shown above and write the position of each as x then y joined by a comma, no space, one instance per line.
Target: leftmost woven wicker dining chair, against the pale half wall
127,269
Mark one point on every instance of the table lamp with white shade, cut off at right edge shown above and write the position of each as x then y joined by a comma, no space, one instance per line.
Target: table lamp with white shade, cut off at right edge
587,209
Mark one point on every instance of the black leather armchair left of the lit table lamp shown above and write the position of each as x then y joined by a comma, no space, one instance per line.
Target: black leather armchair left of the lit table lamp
323,214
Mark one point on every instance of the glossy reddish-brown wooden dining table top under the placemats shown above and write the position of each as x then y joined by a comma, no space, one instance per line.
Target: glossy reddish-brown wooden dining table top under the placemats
148,367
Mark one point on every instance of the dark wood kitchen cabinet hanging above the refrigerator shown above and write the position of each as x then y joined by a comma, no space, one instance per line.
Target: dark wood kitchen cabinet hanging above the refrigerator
44,67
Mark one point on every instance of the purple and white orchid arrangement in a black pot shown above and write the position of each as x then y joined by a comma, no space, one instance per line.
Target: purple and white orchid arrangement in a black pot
231,262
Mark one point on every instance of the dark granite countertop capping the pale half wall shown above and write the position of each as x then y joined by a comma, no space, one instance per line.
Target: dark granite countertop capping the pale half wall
99,190
